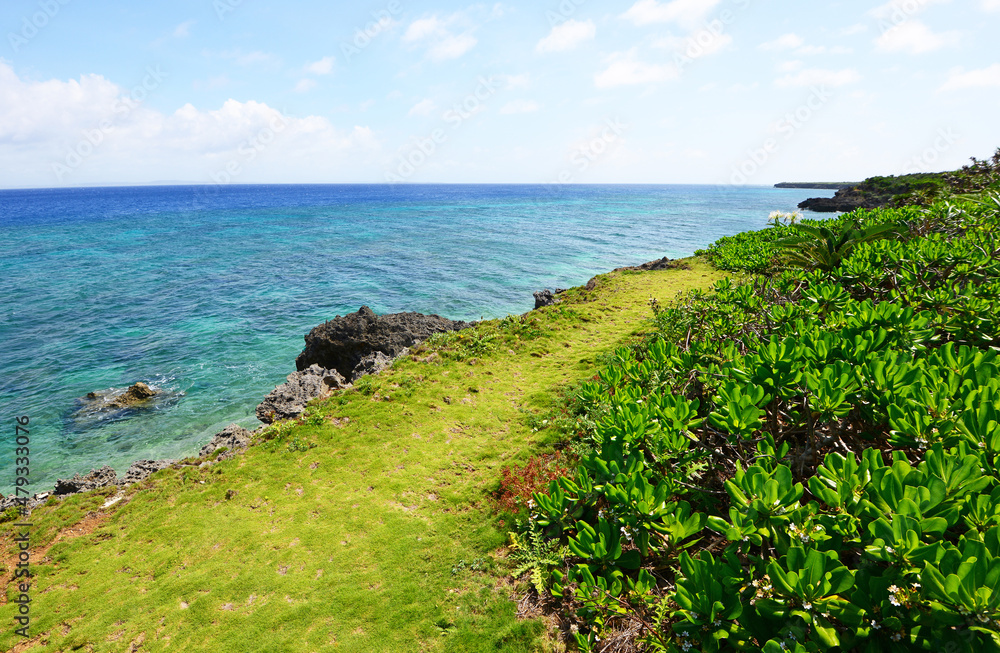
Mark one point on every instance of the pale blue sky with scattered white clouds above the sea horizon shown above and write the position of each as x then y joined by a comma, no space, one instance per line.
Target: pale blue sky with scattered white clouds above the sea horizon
578,91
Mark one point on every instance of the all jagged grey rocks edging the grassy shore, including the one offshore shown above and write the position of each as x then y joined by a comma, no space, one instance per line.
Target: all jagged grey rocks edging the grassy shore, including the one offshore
337,354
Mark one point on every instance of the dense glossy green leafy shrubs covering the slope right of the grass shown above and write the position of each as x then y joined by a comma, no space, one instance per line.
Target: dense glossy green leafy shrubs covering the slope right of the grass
805,459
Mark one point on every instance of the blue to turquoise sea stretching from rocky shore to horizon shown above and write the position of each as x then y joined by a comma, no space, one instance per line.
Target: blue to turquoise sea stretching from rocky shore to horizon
206,292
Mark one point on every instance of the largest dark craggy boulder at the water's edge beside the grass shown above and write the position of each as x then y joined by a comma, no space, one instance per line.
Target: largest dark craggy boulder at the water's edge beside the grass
342,343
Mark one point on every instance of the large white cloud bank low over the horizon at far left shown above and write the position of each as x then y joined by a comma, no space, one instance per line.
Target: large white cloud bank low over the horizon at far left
43,122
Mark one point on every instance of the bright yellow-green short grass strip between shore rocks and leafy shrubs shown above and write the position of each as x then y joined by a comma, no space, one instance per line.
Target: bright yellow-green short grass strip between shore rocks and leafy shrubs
346,546
